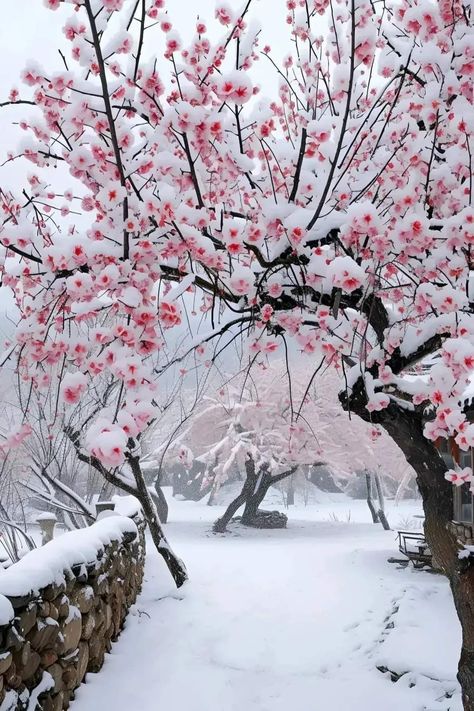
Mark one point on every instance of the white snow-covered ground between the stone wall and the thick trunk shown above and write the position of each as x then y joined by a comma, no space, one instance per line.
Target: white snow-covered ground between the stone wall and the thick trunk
295,620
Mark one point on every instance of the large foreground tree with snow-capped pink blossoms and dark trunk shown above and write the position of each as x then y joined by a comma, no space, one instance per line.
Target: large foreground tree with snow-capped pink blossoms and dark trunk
338,212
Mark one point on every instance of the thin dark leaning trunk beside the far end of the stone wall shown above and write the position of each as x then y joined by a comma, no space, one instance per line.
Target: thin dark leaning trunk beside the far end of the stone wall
173,563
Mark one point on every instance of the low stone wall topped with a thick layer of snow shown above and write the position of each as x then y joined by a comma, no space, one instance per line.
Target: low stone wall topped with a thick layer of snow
61,607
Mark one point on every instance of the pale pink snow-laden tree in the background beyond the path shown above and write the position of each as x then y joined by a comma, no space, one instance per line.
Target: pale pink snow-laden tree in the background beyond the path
264,426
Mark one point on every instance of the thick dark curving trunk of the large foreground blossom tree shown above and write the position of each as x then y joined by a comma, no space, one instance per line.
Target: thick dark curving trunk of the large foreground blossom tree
406,429
